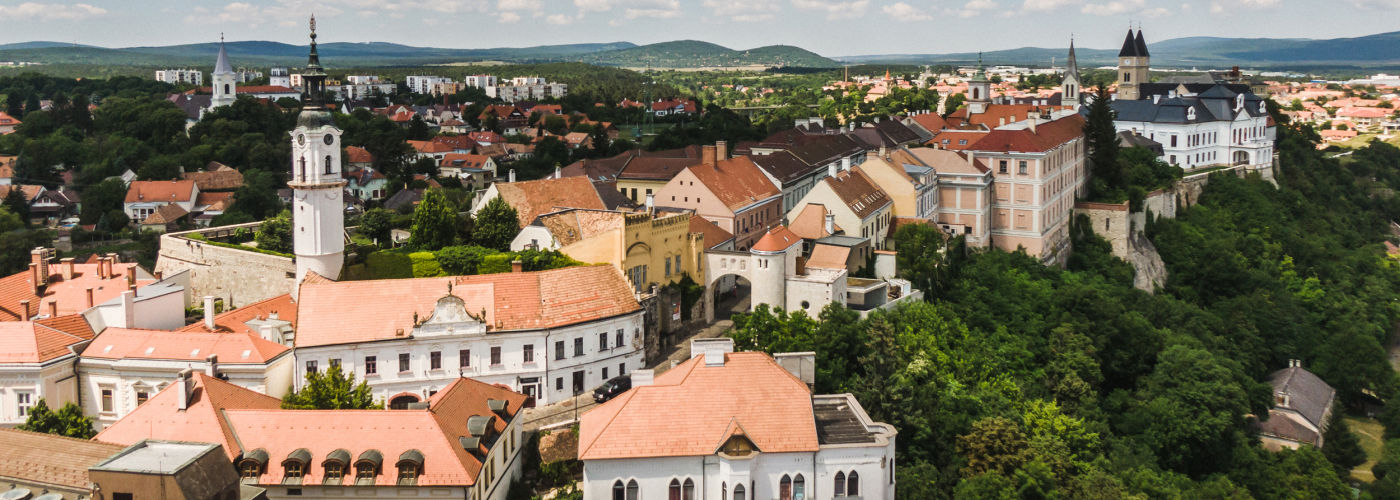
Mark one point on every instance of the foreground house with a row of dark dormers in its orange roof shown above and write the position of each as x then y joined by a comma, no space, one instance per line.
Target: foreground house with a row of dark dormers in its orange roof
464,443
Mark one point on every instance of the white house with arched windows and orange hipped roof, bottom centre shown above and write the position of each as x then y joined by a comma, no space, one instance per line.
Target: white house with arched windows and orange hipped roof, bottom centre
751,428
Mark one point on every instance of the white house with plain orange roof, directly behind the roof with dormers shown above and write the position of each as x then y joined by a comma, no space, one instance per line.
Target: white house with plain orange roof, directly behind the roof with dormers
122,368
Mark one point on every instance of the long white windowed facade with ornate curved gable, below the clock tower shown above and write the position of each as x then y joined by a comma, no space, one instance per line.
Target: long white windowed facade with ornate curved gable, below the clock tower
547,377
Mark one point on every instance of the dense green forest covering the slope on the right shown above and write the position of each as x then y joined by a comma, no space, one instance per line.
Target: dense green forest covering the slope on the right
1017,380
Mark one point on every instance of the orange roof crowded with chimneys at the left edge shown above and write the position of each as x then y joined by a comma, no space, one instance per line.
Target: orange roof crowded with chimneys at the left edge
69,293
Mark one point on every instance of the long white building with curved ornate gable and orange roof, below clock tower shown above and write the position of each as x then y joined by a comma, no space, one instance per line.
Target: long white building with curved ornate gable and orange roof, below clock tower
549,334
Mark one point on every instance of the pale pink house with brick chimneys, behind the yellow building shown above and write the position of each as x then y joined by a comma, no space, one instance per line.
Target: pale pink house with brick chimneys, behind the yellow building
733,193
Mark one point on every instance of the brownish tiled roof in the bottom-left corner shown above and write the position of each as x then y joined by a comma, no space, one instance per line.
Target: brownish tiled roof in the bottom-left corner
51,460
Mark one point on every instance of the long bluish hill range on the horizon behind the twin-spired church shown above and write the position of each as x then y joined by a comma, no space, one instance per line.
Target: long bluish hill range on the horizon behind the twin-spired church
1373,51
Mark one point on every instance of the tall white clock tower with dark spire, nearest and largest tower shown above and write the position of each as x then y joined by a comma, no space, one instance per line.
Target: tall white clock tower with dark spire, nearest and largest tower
318,208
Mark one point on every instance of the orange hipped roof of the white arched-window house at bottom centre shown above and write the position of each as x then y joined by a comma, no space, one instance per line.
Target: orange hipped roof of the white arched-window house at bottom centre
751,394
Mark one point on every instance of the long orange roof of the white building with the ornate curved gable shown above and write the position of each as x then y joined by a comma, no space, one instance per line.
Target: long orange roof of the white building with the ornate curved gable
512,302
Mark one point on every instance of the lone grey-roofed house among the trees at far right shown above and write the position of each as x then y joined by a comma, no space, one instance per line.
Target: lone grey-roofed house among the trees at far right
1301,410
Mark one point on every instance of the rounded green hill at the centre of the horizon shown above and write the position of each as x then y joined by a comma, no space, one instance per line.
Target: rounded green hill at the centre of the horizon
696,54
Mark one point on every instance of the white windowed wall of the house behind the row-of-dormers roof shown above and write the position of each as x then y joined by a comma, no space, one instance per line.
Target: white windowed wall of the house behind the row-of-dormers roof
128,379
